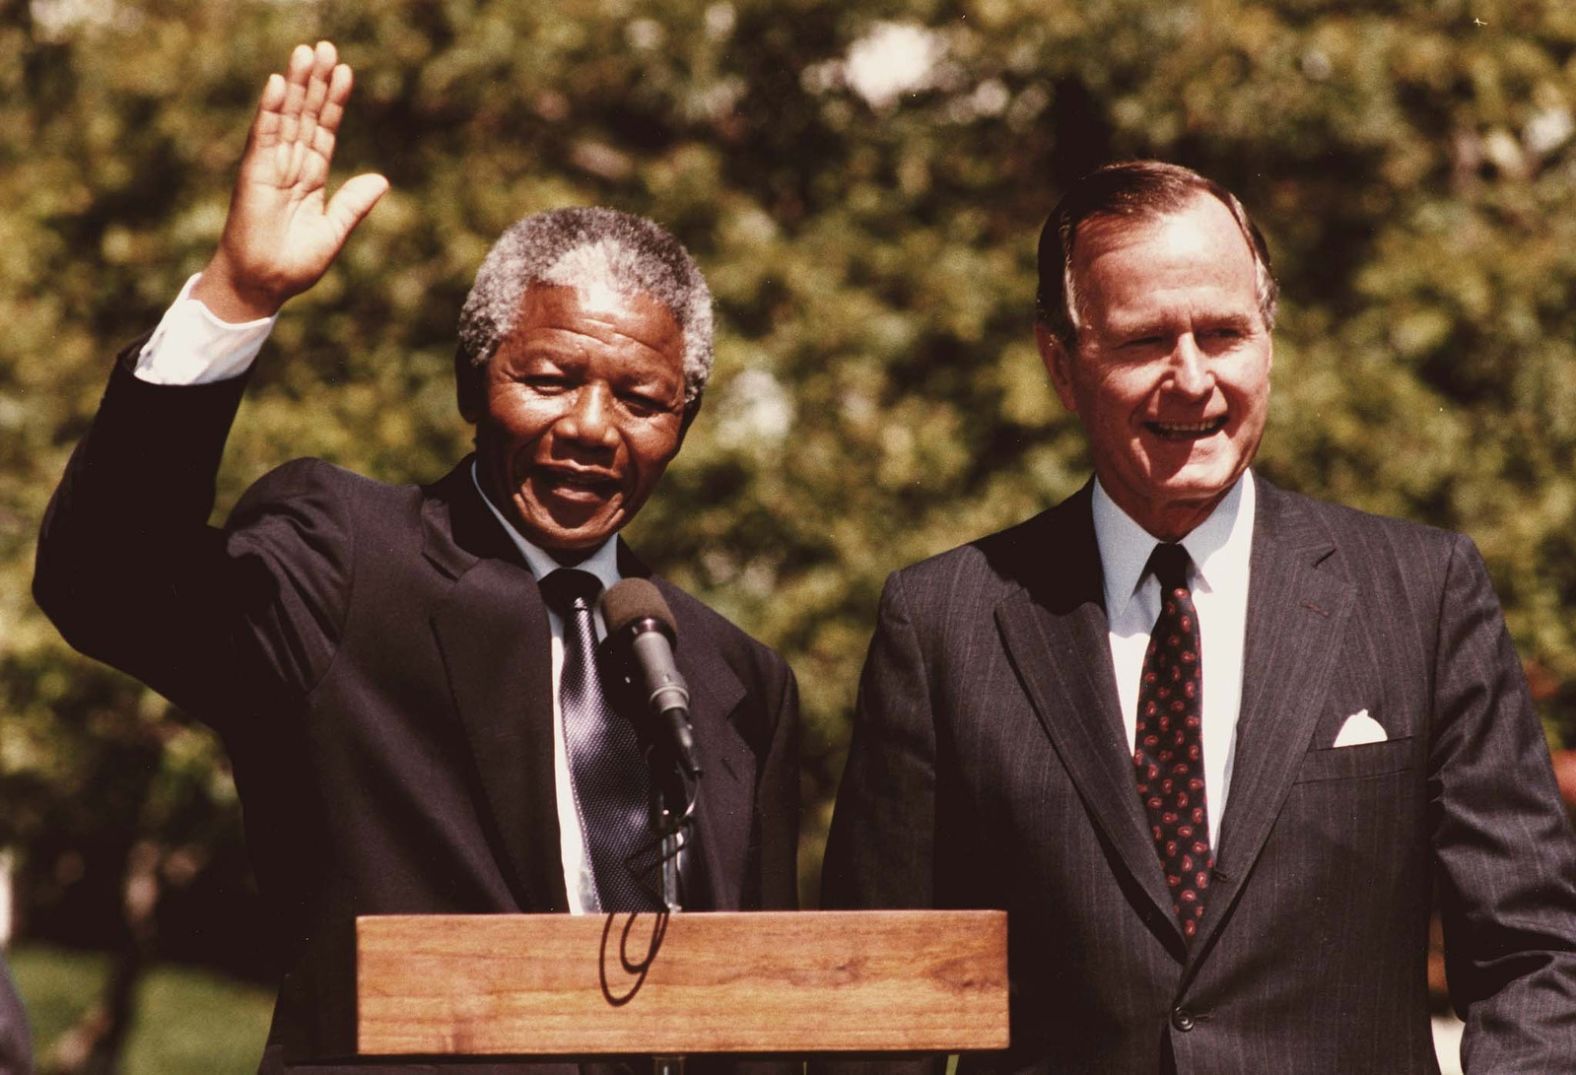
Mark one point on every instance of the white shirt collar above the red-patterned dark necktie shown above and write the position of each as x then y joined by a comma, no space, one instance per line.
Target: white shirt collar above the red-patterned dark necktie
1219,546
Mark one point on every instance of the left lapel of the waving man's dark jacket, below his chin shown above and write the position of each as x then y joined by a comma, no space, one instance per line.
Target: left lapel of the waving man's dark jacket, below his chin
497,647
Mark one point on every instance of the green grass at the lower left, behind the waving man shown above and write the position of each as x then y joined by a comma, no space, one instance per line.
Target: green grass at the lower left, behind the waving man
187,1021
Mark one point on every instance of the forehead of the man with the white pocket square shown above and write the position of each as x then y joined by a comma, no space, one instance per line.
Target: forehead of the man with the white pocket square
1194,259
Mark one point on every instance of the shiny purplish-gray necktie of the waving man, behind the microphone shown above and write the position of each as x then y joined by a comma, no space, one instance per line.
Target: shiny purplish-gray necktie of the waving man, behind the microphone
606,767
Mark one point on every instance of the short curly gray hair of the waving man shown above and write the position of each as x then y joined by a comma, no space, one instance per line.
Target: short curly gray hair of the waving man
589,248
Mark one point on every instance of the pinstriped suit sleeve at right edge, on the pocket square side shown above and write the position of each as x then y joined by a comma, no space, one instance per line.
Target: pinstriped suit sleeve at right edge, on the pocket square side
1504,847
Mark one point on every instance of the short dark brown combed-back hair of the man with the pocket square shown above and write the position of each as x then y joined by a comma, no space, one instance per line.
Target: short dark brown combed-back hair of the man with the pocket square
1132,190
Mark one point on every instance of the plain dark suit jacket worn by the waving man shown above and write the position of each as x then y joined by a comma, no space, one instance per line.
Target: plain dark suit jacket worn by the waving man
377,663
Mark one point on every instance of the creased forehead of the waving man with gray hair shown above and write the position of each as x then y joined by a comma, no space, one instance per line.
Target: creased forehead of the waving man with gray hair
597,319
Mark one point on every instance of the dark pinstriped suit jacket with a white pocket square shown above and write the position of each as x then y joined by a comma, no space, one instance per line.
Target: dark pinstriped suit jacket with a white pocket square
991,768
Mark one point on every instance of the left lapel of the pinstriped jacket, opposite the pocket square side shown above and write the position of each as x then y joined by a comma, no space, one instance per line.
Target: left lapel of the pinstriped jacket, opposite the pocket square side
1058,639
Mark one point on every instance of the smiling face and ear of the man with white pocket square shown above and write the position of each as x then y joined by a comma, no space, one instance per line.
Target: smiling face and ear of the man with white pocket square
1172,373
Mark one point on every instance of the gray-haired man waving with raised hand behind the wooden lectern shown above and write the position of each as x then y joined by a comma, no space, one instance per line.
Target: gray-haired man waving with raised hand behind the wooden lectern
407,677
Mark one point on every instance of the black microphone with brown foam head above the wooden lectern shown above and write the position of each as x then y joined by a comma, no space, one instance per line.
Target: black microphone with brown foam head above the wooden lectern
637,616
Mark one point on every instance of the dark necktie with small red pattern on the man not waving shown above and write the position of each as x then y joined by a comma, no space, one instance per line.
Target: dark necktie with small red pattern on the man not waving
1169,756
